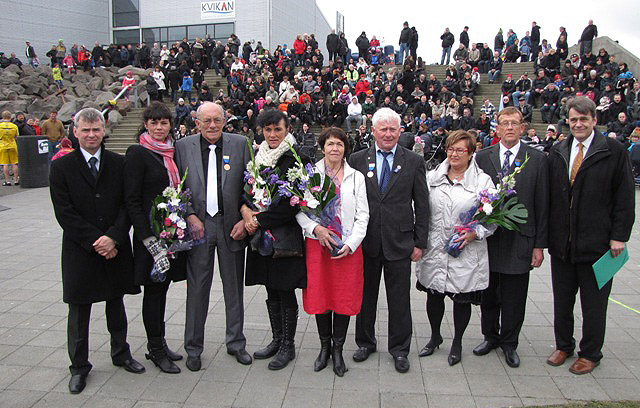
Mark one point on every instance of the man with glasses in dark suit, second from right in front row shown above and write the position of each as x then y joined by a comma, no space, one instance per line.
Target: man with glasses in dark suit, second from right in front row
512,254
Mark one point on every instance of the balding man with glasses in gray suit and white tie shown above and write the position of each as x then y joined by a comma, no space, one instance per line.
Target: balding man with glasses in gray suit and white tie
215,162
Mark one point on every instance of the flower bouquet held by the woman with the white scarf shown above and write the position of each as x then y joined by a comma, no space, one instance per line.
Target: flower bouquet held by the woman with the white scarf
260,182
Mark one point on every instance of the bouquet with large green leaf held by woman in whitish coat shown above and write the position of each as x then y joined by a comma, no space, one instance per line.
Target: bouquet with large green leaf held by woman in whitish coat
498,206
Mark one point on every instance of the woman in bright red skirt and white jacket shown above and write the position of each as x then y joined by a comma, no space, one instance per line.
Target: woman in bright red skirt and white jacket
334,283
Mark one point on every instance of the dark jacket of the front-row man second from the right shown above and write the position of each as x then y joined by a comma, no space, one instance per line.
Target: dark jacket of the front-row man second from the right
510,251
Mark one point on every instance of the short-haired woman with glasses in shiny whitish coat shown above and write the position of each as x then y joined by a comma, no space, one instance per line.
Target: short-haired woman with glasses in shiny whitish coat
453,189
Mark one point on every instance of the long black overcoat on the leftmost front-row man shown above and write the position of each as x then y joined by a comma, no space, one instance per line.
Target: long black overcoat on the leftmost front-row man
87,208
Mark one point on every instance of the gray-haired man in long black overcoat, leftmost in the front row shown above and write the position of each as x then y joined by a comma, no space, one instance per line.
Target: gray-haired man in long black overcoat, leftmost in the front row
97,263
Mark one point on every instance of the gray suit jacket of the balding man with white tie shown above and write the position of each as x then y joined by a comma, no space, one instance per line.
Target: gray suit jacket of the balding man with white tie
189,156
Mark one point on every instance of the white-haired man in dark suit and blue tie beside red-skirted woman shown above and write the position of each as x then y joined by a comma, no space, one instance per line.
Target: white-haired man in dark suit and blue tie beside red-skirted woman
397,233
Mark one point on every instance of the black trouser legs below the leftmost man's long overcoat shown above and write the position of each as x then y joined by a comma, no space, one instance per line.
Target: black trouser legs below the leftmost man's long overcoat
78,334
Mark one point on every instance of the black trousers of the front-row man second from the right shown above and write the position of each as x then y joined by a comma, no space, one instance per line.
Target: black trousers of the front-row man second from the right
503,308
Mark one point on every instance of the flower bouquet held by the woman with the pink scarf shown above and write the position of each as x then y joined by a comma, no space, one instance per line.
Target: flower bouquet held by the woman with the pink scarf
168,223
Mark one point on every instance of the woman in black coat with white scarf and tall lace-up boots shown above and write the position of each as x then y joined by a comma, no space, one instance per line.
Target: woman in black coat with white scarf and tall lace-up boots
282,268
